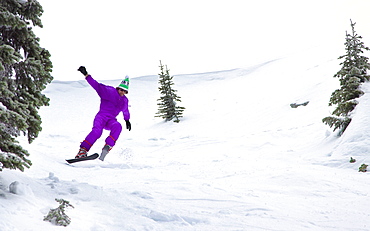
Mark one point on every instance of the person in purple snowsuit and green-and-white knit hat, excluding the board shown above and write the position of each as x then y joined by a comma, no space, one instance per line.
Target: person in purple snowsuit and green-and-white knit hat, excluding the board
112,102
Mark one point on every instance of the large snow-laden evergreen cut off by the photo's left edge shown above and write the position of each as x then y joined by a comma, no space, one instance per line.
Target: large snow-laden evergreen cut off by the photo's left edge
24,72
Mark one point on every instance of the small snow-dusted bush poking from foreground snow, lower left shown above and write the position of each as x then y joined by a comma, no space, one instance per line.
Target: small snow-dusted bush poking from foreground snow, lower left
57,216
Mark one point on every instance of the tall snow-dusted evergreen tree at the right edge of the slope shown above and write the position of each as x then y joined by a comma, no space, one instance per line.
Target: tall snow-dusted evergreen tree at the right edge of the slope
352,74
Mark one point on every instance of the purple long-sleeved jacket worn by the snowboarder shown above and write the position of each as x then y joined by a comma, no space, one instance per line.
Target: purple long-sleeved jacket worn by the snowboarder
111,103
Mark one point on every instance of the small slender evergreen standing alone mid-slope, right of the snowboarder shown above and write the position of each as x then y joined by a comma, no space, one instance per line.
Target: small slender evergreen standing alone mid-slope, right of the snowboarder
167,105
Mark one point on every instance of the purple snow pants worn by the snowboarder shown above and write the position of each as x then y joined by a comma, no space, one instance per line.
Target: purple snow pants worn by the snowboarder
103,122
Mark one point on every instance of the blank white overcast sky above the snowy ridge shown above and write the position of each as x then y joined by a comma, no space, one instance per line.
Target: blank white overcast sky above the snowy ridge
114,38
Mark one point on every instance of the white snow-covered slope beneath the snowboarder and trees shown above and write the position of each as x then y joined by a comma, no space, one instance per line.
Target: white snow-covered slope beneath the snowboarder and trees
240,159
